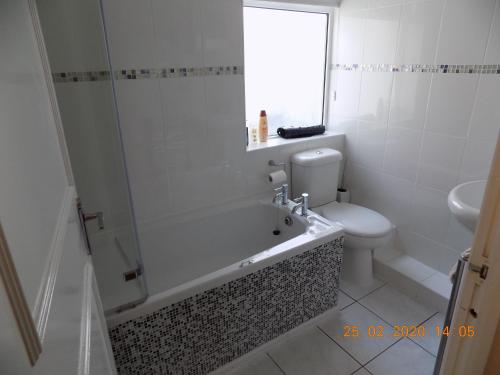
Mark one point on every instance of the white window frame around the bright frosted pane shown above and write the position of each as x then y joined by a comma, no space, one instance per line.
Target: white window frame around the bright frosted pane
291,5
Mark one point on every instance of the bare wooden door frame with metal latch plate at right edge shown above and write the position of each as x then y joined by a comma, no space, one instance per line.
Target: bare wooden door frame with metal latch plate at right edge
477,310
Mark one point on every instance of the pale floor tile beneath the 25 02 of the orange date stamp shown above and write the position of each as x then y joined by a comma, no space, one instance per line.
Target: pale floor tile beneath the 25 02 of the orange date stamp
364,347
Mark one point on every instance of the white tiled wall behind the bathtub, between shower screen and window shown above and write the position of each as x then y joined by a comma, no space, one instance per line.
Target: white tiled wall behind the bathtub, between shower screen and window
185,135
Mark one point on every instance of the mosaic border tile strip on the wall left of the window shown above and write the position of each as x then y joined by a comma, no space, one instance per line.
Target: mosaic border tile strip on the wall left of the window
124,74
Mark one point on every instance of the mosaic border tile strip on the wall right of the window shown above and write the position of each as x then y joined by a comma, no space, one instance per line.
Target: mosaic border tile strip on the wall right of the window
420,68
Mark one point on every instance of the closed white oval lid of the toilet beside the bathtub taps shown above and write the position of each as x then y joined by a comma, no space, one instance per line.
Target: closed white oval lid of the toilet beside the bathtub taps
356,220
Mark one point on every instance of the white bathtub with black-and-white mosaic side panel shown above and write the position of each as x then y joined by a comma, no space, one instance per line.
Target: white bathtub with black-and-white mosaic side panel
225,283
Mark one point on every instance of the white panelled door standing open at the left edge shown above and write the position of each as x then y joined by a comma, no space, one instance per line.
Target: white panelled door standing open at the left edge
51,319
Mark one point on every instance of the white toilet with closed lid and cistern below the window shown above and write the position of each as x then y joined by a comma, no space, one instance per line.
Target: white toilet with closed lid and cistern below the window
317,172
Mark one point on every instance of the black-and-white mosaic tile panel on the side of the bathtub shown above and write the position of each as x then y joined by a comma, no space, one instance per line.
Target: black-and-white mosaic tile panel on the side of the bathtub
205,331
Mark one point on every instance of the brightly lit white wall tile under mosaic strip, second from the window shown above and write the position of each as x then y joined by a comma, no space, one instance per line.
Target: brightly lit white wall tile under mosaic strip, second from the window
375,96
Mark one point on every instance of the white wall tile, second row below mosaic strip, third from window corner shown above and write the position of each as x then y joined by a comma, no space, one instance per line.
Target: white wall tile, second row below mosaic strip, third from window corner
401,152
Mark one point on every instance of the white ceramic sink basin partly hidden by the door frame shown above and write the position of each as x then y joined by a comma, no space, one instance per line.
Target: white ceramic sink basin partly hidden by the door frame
465,200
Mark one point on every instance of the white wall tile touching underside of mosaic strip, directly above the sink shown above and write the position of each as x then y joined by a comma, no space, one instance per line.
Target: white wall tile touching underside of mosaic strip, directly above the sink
450,103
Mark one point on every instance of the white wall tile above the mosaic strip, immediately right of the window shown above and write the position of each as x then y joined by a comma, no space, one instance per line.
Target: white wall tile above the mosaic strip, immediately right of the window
351,34
